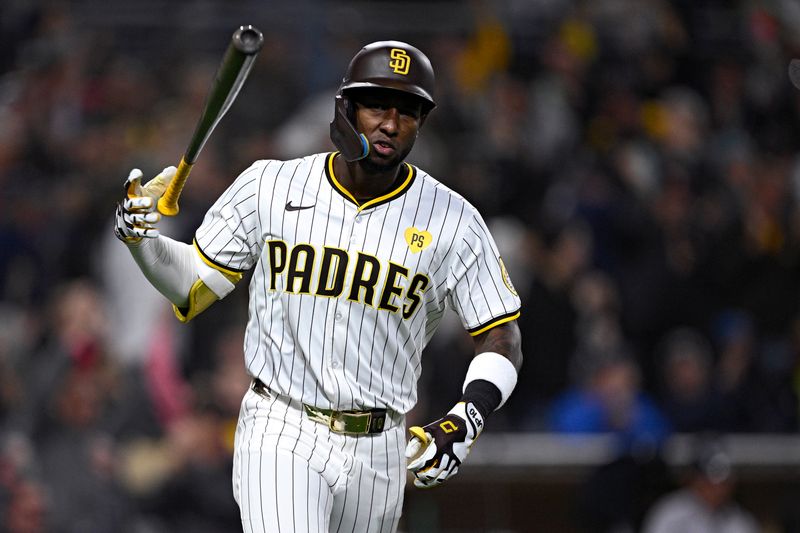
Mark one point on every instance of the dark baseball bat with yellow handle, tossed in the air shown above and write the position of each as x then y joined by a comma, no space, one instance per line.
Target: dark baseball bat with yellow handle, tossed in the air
228,81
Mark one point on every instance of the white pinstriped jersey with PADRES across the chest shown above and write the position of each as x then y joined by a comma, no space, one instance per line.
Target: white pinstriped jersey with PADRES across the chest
344,297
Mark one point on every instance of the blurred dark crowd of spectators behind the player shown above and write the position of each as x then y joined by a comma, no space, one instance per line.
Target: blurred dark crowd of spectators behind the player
636,160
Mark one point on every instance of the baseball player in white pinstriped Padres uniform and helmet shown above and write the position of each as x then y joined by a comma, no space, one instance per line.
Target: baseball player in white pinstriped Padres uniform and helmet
356,255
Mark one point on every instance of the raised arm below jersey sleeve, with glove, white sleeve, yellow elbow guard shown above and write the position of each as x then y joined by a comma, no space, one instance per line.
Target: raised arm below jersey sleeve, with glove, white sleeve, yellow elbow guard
173,268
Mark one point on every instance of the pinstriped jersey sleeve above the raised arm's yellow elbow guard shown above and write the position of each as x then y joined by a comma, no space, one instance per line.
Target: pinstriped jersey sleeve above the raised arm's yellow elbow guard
227,239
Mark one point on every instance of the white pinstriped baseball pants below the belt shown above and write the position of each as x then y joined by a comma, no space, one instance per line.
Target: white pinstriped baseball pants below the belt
292,474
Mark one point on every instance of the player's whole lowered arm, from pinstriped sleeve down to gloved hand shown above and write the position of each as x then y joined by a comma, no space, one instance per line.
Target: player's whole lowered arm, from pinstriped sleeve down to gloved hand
481,293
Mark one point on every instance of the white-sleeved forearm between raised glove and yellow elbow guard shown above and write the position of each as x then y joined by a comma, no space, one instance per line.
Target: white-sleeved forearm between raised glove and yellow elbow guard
169,265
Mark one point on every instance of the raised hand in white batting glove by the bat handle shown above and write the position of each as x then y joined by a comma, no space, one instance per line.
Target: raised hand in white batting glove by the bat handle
136,215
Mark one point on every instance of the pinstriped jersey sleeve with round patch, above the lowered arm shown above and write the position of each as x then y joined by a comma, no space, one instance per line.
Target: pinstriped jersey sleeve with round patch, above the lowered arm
480,289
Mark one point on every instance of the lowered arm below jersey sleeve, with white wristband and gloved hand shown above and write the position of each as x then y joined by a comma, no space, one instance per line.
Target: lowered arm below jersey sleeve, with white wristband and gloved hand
437,450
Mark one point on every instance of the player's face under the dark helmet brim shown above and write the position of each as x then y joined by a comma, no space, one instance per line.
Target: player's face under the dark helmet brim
390,120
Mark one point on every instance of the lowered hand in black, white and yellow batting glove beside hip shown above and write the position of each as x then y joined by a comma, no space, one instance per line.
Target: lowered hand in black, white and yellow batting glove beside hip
437,450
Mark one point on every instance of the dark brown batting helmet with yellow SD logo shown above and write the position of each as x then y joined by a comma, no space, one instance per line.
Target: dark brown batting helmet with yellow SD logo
384,64
